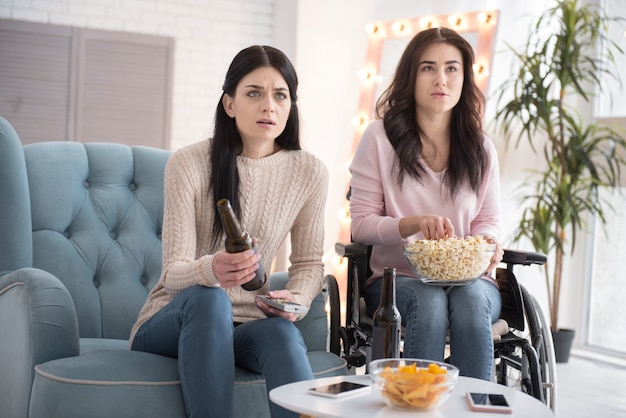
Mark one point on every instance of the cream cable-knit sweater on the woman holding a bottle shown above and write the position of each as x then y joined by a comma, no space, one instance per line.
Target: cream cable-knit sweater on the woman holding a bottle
281,193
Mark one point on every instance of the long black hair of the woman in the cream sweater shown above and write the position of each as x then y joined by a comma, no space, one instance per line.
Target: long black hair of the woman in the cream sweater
226,143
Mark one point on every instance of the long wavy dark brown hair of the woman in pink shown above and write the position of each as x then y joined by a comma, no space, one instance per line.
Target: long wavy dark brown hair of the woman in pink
467,162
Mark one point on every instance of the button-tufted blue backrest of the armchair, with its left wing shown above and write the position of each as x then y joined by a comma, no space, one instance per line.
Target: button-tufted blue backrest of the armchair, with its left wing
90,214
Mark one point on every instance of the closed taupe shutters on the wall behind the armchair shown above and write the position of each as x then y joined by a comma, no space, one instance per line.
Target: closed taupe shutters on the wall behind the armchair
59,83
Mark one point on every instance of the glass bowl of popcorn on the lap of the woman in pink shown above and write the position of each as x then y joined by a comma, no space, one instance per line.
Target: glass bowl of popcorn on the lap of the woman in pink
450,261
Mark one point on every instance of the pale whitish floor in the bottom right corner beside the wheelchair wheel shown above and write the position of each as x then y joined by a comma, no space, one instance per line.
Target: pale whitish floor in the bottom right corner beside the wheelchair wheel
590,389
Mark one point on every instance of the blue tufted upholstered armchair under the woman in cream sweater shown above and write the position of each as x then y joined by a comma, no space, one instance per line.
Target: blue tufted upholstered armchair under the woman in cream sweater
80,248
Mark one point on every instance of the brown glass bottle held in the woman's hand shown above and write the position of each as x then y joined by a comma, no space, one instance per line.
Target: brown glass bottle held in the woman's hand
238,240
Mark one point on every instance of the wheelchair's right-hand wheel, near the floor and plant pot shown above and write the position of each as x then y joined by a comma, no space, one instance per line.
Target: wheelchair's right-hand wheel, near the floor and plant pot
525,359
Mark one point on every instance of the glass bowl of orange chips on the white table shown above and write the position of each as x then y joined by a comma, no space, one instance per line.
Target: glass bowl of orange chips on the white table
413,384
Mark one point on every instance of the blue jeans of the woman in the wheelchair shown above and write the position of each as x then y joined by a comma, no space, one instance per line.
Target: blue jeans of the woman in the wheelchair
427,313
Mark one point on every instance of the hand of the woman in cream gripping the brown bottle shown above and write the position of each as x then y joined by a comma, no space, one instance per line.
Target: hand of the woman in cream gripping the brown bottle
235,269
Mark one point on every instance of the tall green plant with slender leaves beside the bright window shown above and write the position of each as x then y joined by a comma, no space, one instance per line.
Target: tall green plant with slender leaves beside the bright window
558,71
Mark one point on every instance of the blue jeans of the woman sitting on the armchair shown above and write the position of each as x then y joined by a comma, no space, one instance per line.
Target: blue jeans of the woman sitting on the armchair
197,328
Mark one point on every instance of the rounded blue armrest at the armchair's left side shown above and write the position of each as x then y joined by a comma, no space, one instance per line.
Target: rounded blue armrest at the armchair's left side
38,323
